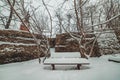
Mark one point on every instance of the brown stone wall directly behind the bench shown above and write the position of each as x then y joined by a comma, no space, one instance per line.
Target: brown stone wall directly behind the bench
64,43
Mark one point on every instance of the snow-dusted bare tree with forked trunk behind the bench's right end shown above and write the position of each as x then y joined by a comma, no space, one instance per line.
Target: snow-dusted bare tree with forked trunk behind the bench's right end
83,33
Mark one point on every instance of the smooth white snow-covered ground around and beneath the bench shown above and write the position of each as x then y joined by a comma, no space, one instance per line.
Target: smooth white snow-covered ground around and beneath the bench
99,69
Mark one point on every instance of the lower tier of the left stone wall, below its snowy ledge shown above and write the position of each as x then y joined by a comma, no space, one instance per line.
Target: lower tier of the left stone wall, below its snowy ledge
17,53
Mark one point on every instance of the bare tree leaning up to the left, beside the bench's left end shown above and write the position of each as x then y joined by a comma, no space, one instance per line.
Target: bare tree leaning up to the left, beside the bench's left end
42,44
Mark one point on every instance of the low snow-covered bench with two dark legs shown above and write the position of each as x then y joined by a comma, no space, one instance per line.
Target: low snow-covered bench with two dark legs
66,59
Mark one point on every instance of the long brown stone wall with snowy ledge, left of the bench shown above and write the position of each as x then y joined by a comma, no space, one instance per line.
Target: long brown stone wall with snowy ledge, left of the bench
17,46
